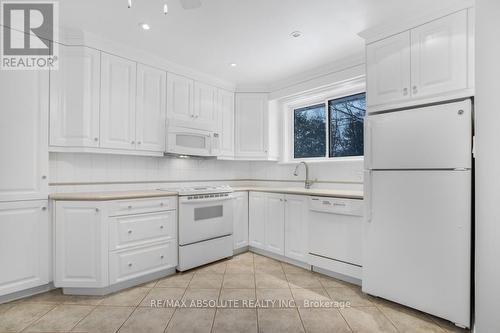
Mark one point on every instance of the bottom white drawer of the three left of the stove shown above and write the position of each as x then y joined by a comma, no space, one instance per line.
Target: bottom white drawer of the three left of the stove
125,265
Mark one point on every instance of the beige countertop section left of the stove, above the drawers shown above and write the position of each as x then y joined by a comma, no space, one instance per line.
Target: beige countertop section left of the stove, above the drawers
108,195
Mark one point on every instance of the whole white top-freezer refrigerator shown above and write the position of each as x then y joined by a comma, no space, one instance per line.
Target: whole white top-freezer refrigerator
417,246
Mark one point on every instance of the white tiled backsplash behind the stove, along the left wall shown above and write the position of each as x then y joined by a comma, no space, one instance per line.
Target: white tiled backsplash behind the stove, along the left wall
66,169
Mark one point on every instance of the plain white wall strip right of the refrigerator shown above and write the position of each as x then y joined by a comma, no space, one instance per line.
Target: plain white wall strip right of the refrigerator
487,166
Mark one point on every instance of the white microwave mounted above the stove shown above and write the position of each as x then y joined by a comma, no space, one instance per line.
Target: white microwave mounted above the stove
191,142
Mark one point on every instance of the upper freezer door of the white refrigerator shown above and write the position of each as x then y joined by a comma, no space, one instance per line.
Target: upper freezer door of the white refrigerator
433,137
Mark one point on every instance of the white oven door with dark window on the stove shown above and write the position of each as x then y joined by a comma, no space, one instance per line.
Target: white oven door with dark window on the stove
205,217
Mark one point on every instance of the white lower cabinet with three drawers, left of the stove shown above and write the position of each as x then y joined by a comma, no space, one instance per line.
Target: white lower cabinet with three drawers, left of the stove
98,245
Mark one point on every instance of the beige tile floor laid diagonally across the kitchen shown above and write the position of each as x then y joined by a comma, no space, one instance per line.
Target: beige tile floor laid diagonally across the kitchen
242,285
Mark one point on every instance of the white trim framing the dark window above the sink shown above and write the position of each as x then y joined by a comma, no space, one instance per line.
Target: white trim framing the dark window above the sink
319,96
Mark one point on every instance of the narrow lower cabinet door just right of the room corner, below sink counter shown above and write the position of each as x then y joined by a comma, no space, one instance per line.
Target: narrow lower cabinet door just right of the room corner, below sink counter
257,220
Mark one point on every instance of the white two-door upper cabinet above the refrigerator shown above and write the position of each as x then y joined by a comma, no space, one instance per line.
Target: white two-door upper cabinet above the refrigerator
426,64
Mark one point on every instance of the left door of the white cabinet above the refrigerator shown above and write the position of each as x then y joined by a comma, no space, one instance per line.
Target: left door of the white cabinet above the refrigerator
388,69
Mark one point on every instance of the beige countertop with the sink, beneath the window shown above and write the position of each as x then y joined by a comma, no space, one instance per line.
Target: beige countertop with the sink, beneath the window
322,192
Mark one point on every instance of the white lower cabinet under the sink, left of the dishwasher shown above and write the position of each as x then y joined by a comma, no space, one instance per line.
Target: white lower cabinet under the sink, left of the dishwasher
278,224
